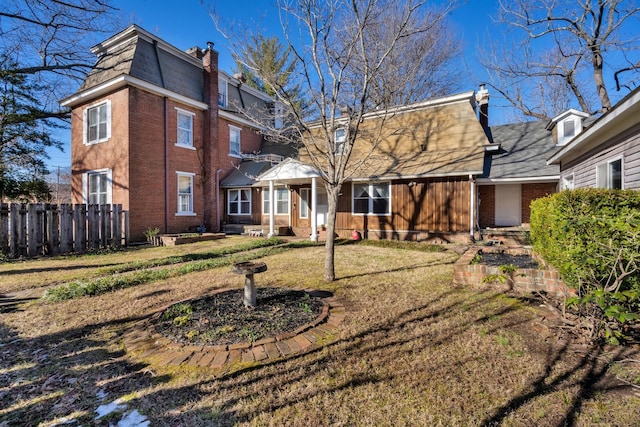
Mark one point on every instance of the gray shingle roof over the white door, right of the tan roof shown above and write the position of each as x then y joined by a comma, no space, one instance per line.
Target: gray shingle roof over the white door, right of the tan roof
524,149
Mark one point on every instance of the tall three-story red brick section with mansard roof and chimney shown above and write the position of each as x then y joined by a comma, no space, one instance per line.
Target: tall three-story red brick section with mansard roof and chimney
156,129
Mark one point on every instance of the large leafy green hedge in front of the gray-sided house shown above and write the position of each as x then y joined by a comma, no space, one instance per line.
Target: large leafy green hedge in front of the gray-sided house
592,236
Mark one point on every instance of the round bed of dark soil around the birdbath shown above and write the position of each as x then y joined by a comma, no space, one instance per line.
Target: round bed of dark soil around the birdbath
223,319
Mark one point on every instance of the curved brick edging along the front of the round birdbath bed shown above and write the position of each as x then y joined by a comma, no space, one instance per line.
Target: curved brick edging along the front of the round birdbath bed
144,342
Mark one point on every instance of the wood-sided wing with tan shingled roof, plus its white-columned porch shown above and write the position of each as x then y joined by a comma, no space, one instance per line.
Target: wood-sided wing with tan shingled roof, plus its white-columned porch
418,184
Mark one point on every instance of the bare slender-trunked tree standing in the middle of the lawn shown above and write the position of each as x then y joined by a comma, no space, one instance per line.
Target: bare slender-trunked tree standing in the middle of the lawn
354,58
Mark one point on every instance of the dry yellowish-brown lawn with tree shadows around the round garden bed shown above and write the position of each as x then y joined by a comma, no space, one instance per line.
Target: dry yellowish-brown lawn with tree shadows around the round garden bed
412,350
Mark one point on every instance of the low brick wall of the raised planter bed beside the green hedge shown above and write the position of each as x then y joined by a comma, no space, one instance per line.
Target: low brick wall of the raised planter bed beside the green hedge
525,280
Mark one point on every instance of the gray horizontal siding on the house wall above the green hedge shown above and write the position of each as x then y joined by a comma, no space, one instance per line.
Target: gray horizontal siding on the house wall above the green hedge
625,146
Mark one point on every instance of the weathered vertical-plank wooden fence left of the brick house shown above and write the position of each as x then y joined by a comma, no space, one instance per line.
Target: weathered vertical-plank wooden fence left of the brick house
28,230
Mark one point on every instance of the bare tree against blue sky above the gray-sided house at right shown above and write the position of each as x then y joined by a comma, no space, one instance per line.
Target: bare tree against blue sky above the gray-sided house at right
566,53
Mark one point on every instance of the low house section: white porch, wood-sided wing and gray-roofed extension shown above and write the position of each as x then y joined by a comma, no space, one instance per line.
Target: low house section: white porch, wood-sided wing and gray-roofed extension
441,174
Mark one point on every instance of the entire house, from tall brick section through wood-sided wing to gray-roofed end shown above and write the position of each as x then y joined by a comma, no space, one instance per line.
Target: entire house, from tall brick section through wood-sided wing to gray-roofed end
162,132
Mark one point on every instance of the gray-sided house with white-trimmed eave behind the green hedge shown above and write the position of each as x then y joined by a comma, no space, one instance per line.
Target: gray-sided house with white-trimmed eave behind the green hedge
607,153
